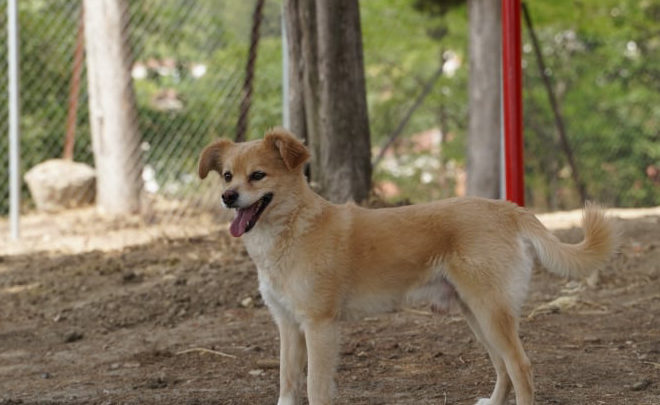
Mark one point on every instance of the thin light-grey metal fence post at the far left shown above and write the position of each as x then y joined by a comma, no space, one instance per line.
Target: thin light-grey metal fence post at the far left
14,114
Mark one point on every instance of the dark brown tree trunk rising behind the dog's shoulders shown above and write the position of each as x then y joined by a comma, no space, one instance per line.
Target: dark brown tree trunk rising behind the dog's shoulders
334,96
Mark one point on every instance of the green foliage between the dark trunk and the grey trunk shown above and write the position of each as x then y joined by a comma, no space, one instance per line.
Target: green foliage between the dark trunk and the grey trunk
403,48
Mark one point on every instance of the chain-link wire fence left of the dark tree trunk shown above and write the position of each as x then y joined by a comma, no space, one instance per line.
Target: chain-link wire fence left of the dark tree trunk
187,63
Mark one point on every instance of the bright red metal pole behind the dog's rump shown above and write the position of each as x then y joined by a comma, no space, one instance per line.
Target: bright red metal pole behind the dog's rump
512,101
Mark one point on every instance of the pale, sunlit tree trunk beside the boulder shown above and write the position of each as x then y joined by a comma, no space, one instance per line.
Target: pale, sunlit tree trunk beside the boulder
112,107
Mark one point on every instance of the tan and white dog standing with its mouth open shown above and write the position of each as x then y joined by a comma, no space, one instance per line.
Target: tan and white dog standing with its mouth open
319,263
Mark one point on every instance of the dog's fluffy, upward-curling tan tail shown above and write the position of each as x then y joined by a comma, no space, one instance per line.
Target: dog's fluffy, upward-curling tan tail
573,260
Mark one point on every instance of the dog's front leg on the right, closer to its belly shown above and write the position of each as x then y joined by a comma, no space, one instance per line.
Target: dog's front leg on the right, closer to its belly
322,339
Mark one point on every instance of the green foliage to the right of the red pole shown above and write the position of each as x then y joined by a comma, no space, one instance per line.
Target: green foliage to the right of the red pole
604,61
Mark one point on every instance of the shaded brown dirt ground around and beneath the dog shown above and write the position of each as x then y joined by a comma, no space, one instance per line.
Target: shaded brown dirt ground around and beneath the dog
180,321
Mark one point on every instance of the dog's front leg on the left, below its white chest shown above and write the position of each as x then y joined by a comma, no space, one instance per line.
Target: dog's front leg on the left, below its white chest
292,361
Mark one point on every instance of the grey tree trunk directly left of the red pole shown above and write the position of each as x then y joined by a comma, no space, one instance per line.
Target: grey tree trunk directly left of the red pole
484,128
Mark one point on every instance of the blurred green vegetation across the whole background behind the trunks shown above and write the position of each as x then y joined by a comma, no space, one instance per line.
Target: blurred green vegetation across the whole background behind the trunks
603,59
